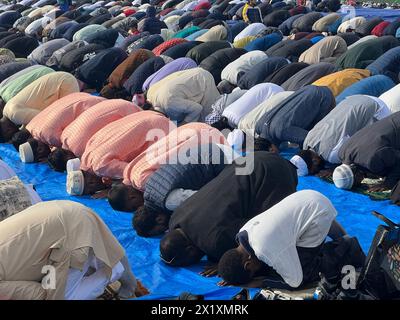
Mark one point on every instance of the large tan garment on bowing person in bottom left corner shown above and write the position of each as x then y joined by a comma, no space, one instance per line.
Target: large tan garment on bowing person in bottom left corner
57,233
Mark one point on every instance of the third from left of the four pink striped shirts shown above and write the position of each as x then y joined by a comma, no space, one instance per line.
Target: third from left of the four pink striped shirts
110,149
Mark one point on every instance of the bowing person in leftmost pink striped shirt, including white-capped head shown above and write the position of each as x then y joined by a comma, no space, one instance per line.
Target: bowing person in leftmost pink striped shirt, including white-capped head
47,126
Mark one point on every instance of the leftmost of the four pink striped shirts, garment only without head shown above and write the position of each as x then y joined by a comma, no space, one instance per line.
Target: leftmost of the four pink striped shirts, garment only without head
49,124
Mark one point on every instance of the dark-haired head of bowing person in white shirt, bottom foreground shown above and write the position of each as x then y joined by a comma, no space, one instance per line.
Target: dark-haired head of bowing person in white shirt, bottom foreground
231,268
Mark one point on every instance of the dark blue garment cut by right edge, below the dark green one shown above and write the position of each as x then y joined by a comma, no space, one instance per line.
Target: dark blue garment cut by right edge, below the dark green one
387,64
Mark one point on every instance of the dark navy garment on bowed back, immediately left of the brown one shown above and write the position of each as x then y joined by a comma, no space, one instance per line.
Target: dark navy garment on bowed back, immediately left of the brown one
95,71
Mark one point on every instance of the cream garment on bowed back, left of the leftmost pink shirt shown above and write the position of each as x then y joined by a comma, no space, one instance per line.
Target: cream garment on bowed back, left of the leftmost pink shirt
39,95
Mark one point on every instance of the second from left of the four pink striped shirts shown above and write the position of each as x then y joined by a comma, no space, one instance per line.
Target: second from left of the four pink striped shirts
75,137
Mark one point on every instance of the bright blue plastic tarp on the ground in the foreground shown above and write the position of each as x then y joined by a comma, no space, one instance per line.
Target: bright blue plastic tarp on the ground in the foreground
143,253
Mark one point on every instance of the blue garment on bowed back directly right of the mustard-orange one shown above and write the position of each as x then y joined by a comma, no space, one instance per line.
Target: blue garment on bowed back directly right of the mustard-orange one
372,86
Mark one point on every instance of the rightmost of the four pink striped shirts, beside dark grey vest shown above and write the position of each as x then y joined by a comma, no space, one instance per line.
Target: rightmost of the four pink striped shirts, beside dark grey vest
167,150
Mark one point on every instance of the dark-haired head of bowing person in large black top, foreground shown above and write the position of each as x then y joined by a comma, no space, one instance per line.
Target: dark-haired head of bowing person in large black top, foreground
177,250
